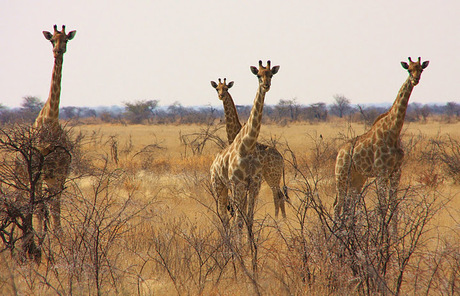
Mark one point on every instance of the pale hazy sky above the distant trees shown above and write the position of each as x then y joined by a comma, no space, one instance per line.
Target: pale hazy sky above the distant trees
170,50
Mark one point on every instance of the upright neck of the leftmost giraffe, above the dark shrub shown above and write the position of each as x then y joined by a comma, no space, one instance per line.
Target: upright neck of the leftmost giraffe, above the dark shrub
50,111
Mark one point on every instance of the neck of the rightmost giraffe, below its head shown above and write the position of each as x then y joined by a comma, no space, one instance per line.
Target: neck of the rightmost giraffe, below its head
397,112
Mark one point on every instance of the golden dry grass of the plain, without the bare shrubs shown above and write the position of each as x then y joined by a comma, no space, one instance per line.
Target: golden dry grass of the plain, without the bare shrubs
175,217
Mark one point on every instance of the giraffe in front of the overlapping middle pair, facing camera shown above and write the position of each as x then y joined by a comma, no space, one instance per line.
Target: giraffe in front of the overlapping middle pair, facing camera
236,167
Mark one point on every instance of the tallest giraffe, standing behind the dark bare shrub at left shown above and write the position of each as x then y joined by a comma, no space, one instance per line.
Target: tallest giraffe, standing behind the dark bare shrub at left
53,142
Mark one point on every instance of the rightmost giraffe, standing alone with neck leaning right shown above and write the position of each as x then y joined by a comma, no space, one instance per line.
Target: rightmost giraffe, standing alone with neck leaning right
378,152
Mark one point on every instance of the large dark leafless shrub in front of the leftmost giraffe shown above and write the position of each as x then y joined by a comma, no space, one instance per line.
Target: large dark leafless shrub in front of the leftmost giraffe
24,163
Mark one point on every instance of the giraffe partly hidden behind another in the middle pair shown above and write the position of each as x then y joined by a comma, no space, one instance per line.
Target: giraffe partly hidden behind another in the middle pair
272,161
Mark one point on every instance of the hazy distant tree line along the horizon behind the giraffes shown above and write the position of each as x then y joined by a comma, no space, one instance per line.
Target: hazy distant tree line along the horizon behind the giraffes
286,111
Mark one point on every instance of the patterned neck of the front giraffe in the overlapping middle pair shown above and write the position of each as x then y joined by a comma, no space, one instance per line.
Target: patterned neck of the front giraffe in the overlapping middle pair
251,130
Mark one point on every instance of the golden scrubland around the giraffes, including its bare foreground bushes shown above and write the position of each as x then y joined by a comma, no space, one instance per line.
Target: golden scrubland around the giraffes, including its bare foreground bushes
142,220
